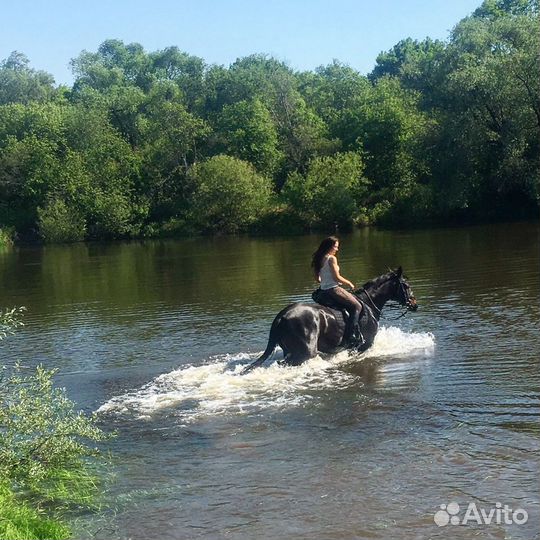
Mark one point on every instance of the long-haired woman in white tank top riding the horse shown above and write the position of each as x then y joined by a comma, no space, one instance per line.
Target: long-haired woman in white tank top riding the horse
326,272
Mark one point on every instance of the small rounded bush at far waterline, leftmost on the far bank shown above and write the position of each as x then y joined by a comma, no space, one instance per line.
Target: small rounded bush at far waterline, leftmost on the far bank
59,223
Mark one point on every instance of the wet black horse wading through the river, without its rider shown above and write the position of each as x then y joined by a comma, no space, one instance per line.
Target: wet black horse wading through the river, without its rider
302,329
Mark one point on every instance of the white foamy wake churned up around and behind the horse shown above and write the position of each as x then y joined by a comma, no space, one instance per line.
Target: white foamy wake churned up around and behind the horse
217,387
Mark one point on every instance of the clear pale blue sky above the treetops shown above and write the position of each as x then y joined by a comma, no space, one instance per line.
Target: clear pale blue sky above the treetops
304,33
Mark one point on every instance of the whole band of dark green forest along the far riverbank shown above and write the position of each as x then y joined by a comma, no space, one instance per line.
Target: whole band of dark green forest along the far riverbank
148,144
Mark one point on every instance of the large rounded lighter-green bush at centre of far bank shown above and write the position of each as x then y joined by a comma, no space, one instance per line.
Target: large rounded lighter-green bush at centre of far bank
228,195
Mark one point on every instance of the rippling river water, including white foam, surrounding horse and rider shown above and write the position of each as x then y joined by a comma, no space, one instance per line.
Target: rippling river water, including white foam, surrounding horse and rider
443,409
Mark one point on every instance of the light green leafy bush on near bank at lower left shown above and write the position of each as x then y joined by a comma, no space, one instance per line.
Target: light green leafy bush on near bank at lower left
42,448
